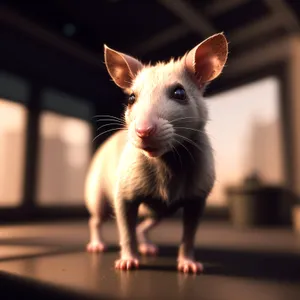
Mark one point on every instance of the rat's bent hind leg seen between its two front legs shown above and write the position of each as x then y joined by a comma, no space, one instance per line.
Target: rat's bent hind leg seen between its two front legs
146,247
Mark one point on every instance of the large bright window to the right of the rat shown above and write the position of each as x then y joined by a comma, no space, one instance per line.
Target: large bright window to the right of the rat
245,131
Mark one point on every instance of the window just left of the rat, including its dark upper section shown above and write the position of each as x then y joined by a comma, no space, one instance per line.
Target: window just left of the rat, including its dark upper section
65,149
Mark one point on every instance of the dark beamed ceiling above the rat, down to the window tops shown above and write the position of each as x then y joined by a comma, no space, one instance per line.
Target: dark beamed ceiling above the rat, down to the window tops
60,42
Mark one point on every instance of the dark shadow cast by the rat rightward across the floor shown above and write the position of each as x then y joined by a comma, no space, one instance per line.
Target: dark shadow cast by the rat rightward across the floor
240,263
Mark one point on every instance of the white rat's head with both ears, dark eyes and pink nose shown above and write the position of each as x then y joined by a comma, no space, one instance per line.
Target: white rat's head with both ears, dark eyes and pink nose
165,103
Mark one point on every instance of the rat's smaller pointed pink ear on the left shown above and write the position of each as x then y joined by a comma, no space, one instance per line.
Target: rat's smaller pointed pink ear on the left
121,67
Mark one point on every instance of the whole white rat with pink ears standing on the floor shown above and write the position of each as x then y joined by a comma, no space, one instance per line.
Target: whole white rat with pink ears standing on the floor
162,160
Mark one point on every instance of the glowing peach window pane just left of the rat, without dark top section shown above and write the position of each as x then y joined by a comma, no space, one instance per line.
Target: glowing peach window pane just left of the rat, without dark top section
65,151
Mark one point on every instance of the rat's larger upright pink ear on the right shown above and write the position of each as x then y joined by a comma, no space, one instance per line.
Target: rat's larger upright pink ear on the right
206,61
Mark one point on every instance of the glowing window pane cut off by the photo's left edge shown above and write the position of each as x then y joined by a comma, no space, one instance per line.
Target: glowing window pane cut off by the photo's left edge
12,152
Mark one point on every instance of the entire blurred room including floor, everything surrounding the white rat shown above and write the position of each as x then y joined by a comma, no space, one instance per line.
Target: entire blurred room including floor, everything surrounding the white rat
53,83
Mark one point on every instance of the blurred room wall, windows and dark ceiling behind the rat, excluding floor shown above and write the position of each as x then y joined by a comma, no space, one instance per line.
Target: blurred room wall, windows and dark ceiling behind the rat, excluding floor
53,82
